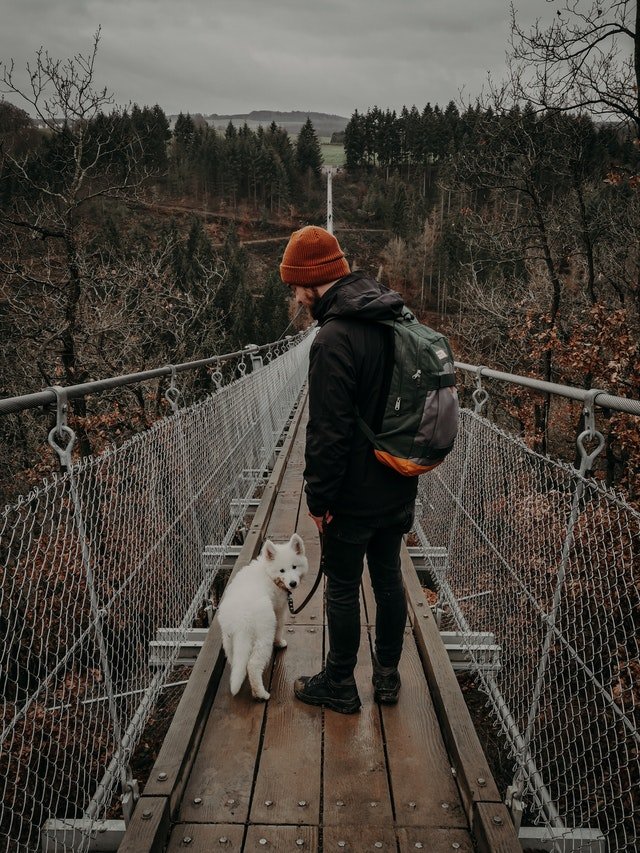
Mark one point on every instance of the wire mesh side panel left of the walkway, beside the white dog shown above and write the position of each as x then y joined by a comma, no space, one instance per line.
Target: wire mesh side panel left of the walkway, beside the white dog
95,561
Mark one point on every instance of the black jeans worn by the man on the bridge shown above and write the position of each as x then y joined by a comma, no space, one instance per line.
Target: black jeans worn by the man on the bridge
346,541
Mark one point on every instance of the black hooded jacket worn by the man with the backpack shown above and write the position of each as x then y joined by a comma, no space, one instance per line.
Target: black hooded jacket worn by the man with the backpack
349,370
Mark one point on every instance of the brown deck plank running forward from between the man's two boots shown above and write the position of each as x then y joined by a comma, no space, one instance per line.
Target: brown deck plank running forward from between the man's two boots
355,785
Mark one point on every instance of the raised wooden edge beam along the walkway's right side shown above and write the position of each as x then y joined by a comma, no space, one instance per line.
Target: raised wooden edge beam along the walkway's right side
473,774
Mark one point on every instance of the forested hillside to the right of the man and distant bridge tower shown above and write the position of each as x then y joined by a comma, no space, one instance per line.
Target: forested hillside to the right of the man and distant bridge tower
519,230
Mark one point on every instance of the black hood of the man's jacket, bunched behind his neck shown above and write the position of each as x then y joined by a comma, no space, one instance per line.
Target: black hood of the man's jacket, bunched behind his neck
359,297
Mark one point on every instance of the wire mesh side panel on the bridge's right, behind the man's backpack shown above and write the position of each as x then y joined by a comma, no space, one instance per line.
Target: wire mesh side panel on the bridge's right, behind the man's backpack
546,561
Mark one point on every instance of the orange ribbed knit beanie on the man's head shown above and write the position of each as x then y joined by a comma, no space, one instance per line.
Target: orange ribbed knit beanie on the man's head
313,256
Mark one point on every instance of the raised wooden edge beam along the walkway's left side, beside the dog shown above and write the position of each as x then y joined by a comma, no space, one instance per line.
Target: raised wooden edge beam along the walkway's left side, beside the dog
170,772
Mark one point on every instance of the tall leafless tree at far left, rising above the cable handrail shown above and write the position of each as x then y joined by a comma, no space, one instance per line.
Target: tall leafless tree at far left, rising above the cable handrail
48,218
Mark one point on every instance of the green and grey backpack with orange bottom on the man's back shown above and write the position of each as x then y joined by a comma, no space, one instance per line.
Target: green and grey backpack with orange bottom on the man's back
420,420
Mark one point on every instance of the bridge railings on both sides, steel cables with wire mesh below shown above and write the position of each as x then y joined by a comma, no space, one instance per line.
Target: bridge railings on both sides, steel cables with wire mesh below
528,551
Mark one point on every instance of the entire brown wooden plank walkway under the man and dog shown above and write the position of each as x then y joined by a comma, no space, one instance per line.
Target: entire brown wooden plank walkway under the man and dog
235,774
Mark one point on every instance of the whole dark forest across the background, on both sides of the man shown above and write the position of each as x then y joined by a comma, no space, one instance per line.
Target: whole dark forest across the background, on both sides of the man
129,244
